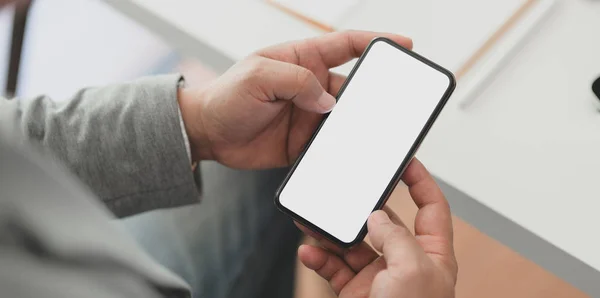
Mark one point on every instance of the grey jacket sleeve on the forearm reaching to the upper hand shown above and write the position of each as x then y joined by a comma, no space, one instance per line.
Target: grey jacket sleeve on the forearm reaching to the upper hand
125,142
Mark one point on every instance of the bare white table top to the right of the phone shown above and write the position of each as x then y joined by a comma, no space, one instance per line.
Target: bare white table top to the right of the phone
529,147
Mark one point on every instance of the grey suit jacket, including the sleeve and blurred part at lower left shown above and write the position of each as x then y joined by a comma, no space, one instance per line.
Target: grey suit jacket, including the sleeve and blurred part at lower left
67,168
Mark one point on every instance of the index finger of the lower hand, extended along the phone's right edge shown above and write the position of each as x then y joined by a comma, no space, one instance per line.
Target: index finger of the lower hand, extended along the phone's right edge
434,217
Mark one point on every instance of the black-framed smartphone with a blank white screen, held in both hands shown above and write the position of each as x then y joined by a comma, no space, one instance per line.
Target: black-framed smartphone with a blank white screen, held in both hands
358,153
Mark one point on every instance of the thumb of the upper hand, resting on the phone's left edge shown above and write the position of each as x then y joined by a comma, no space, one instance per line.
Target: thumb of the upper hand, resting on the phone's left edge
285,81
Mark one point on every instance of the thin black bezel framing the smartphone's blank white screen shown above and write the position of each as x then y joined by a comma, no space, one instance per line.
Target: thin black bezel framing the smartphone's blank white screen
397,176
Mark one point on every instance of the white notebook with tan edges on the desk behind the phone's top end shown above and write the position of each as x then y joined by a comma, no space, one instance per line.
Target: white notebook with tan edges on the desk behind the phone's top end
462,35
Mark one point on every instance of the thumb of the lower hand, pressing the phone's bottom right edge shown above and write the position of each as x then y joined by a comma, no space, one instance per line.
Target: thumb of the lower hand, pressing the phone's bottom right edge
395,242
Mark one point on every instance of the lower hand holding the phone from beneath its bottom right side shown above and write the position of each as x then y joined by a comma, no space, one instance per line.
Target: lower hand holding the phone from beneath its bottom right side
421,266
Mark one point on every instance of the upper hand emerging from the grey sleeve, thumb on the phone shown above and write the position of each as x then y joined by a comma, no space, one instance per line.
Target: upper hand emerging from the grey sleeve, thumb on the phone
263,110
